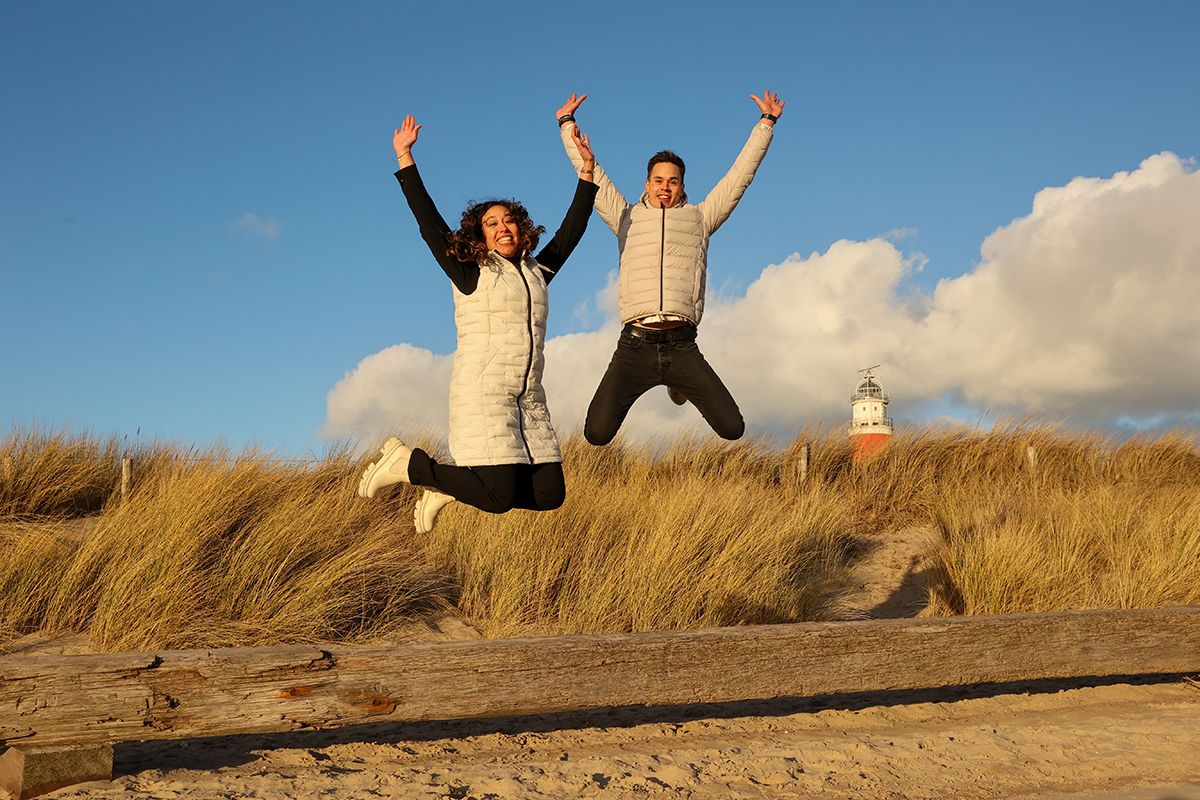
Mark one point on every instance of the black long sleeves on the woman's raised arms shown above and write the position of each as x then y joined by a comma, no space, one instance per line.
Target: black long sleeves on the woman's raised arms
465,275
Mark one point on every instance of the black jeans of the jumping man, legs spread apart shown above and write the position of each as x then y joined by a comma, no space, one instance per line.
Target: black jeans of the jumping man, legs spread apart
649,359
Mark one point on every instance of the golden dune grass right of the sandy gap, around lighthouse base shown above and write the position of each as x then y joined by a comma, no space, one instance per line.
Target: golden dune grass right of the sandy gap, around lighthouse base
1036,519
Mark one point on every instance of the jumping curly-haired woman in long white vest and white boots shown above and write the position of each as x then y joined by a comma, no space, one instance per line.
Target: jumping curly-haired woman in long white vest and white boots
503,444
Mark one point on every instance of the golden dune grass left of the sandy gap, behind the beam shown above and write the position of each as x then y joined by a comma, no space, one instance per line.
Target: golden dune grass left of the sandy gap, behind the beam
217,549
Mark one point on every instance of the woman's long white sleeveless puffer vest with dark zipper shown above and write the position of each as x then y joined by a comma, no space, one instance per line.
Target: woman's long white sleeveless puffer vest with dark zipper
499,411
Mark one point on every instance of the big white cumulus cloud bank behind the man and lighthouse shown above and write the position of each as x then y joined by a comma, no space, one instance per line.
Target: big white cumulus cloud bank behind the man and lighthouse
1083,310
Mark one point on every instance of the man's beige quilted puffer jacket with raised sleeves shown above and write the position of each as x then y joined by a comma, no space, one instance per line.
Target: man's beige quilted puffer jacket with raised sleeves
664,252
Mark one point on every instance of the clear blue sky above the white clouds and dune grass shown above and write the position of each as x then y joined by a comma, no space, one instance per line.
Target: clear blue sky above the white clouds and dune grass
201,236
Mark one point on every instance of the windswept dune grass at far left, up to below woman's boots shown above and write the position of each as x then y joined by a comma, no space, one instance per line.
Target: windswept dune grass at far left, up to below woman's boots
215,550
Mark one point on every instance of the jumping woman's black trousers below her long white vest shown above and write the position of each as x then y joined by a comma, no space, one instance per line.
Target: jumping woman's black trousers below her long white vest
496,490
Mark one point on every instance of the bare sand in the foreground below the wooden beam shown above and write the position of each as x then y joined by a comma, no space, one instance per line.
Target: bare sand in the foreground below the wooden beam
1107,742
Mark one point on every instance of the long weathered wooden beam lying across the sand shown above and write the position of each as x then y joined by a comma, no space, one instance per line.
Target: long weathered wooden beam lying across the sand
101,699
